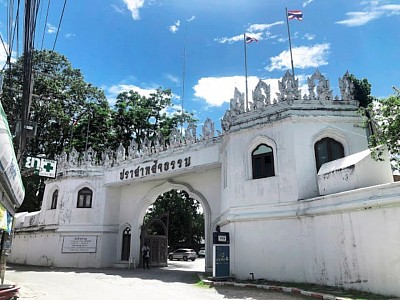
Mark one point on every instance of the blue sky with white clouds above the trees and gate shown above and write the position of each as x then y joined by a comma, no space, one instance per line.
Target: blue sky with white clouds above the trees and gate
139,44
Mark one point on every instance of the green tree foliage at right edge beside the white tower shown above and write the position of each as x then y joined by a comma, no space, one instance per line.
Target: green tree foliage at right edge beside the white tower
385,118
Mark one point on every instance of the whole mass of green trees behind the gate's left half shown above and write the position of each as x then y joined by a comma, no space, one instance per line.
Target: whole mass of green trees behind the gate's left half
70,112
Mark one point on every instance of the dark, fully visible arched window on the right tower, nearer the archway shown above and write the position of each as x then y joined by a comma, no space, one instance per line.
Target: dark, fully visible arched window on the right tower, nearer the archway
263,162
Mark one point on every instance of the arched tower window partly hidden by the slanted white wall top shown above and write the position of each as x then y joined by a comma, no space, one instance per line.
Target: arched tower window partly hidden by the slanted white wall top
327,150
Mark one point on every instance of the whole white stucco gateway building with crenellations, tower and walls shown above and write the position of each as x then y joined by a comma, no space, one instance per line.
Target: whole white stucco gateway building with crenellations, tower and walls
290,178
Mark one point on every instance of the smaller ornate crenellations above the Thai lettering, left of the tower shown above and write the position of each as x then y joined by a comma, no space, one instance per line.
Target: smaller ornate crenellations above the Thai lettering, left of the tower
146,148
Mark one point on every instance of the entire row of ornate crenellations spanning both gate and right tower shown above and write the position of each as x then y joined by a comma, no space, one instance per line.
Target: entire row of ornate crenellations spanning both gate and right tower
318,92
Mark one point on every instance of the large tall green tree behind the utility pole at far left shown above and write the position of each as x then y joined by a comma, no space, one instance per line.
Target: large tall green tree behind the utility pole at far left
59,96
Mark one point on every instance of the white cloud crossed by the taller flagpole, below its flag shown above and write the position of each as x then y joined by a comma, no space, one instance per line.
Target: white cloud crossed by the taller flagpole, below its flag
303,57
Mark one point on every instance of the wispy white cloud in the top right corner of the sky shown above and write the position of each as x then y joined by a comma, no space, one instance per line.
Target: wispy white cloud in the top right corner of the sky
371,12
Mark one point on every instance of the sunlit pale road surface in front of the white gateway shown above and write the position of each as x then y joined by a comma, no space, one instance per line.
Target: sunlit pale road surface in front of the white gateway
176,272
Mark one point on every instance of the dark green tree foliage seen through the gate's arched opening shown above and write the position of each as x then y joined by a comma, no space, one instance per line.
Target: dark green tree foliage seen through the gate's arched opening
186,221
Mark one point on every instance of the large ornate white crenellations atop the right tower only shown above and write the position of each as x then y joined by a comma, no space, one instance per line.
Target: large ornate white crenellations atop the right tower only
318,92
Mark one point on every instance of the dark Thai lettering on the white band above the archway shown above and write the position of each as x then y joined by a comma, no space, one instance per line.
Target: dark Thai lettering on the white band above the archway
154,168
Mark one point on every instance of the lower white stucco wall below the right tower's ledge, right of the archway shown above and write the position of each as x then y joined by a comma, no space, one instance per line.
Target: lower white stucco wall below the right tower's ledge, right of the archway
335,240
